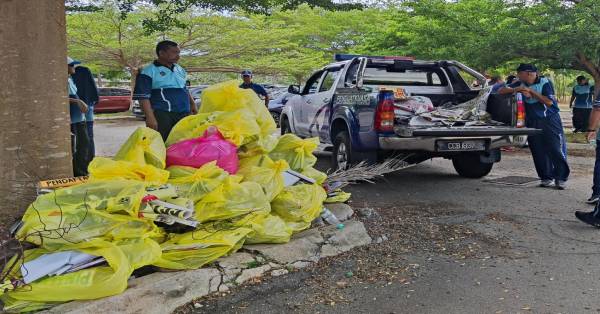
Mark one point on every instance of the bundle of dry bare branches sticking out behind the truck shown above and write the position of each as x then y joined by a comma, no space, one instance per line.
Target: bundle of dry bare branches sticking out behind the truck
365,172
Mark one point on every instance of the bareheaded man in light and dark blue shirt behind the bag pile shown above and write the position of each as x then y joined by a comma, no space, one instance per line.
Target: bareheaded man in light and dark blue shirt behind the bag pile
161,89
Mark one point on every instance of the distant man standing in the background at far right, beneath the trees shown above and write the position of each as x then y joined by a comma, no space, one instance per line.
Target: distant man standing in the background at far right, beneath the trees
581,102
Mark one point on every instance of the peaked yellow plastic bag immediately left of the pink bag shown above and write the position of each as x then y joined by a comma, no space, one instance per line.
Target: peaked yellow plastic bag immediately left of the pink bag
144,146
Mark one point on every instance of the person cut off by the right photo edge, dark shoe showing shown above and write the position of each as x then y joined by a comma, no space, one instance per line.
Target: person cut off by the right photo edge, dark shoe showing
593,217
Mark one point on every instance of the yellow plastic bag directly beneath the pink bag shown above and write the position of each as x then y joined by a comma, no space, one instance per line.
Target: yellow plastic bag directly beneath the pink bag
195,183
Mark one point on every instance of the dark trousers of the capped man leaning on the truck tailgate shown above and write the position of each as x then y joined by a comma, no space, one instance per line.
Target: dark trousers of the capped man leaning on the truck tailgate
549,149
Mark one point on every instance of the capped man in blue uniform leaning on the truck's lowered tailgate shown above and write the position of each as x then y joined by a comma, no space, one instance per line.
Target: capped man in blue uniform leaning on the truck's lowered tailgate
548,149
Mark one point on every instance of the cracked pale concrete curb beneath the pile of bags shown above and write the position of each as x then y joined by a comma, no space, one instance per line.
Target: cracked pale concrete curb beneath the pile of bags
164,292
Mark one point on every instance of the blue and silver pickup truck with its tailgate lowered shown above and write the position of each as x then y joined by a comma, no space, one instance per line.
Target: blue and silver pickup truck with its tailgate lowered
352,104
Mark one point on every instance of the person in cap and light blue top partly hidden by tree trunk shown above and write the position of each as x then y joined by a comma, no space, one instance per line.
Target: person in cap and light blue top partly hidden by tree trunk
79,137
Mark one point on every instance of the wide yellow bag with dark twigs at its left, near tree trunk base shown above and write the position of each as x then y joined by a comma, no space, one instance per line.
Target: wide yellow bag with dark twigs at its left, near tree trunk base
87,211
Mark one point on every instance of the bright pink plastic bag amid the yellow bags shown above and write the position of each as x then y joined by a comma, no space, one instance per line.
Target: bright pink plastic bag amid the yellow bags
199,151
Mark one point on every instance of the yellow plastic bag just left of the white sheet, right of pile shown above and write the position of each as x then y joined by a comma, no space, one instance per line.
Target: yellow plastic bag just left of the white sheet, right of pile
267,173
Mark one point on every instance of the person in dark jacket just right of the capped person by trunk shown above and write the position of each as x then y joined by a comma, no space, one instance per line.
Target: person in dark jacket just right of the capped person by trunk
88,92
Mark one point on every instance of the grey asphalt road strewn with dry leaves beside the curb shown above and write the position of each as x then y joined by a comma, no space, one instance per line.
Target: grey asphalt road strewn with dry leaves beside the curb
454,246
